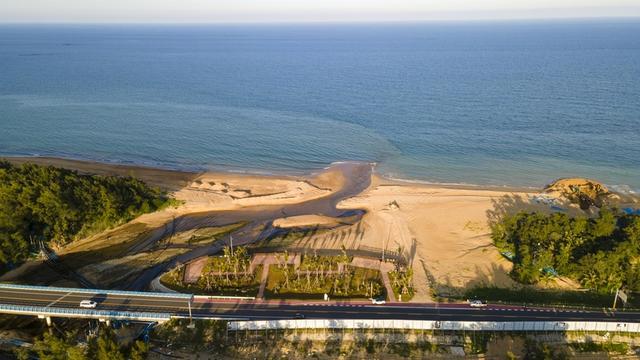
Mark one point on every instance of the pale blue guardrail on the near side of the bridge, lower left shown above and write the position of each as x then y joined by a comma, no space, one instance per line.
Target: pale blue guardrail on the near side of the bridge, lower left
83,313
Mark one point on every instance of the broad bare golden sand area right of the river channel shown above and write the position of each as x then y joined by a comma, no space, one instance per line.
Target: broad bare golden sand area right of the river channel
443,231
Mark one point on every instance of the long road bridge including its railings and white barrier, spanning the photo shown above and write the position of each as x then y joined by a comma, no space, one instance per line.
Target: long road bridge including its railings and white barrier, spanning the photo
50,302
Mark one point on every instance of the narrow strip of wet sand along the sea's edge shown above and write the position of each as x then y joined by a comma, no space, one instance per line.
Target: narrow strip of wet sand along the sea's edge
178,178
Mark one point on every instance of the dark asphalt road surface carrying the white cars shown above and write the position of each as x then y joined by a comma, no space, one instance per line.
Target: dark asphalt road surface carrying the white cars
268,310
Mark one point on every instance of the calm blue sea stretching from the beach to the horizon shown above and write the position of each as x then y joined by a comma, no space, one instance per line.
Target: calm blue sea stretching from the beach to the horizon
512,103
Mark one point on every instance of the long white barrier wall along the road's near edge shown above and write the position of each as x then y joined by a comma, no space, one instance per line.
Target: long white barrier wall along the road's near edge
436,325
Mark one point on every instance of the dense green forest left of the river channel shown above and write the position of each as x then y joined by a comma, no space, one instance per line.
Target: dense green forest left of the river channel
48,204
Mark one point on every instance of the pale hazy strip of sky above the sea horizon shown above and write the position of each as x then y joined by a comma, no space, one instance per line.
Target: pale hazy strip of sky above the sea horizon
186,11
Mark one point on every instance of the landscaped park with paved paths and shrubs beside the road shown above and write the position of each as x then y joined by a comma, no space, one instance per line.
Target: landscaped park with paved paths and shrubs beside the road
284,275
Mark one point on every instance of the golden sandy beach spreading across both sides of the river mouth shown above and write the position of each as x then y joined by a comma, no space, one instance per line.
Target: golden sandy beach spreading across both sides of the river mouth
443,231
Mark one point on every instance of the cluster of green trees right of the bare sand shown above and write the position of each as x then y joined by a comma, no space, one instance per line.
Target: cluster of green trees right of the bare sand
602,253
